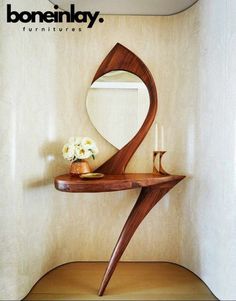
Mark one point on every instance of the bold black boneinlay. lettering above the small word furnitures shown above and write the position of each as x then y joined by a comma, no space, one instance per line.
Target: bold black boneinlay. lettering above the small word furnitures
56,16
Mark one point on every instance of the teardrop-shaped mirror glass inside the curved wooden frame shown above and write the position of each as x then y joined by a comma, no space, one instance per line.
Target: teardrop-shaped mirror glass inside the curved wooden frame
117,104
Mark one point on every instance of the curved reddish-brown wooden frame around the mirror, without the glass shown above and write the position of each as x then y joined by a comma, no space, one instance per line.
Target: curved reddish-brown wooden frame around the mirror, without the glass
121,58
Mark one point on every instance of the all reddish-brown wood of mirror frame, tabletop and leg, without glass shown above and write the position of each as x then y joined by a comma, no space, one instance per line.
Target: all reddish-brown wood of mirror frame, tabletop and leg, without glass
154,185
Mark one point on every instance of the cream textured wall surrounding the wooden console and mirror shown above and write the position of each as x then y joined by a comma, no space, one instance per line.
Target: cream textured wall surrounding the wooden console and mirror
45,77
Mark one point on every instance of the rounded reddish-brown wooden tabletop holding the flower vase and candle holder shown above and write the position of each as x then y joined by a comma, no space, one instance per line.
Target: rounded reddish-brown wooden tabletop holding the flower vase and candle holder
69,183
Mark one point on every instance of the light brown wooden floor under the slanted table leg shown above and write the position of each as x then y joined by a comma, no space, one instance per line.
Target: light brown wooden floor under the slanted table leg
131,281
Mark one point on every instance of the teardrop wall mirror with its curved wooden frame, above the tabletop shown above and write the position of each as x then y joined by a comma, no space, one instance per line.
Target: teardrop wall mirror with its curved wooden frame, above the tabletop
122,104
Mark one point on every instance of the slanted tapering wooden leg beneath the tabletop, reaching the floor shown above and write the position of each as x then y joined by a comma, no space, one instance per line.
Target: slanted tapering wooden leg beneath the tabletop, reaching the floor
147,199
